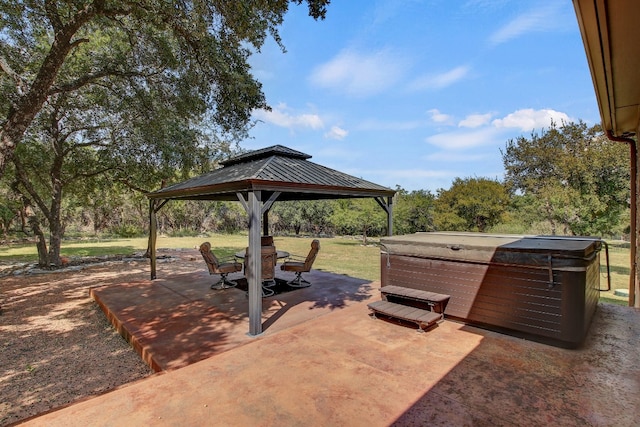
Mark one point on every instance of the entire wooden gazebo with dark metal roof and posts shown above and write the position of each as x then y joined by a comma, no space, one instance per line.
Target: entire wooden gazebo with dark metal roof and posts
257,179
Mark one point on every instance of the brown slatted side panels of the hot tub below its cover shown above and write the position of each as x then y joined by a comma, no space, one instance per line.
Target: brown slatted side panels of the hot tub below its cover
511,297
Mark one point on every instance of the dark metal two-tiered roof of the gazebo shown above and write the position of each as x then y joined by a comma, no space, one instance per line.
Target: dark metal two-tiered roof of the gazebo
272,169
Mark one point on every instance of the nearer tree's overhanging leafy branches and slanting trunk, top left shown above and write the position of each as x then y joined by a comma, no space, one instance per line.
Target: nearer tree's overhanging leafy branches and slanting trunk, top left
196,48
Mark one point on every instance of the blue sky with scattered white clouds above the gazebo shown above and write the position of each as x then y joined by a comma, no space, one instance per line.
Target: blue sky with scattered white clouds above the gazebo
416,93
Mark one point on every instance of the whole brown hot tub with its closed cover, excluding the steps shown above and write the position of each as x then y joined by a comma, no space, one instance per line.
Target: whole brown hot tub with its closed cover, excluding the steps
542,288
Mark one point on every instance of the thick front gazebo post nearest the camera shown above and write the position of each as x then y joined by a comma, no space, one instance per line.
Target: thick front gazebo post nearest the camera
254,269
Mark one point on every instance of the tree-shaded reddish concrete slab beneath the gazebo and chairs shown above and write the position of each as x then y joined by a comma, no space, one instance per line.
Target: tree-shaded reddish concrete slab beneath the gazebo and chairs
177,320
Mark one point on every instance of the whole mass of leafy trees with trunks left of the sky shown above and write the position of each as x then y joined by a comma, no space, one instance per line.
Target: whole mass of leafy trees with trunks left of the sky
136,93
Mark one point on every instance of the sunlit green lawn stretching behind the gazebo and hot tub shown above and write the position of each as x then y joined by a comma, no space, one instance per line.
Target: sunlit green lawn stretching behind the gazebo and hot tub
341,255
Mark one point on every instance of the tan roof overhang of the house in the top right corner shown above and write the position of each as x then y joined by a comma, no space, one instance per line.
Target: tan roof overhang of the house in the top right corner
612,44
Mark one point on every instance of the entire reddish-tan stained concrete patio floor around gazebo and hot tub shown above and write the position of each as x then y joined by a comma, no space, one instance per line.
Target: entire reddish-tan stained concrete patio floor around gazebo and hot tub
323,361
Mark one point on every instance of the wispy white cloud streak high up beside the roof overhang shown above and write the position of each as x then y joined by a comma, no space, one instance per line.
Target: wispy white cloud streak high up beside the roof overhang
542,19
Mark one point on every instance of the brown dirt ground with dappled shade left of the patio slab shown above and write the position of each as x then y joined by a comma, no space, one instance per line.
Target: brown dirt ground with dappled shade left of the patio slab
56,345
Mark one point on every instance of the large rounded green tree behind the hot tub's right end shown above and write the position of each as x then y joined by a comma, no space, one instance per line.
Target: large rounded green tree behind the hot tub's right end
576,178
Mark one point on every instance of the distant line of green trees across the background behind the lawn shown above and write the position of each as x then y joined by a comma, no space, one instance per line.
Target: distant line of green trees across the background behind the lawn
567,180
